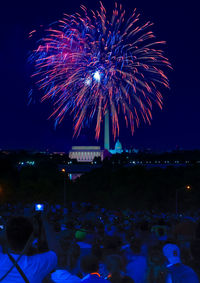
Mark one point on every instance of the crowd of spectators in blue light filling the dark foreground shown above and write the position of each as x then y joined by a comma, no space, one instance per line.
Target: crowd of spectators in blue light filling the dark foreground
88,243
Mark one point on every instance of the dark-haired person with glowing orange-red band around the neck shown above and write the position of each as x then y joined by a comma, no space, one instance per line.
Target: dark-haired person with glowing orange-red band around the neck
90,270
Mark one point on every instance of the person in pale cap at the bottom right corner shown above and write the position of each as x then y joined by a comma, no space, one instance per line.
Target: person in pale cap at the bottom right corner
178,272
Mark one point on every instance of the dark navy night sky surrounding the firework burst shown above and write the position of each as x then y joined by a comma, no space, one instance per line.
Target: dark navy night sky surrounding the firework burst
24,126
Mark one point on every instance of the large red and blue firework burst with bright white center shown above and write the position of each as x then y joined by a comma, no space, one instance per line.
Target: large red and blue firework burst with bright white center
89,64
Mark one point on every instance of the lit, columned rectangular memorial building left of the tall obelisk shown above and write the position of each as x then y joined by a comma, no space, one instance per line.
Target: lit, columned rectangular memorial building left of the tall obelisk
85,153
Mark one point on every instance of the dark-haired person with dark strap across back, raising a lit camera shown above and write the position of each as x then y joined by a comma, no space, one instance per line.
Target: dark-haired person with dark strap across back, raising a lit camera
20,235
